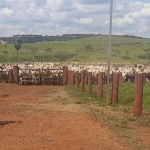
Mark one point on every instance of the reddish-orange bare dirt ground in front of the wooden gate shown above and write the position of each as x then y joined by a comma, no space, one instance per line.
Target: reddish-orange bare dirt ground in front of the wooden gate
46,117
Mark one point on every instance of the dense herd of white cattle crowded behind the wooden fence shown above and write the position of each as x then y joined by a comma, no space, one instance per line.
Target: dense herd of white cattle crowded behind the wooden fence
94,68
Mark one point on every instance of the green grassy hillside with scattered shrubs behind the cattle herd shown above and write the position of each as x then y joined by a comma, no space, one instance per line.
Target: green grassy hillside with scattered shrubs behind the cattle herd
124,50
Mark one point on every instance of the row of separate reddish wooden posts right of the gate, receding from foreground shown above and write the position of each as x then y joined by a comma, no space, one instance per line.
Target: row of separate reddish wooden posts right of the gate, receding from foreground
86,78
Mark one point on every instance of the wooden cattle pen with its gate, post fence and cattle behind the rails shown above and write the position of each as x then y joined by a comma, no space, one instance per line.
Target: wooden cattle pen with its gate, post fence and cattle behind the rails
79,76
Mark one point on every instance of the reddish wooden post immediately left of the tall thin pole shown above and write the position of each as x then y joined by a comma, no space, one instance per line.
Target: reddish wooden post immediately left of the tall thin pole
100,84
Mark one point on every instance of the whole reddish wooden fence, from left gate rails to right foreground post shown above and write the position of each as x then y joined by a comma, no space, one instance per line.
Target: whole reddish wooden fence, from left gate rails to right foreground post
79,80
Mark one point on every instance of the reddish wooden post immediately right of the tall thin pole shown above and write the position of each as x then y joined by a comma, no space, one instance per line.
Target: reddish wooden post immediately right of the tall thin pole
115,87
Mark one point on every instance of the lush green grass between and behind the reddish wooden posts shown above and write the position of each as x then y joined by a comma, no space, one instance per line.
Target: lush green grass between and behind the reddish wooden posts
125,95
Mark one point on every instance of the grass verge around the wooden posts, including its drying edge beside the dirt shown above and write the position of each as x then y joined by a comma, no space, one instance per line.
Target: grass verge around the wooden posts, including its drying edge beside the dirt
125,99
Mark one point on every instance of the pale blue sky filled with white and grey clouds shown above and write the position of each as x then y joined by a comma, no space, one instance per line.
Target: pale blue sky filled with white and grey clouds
57,17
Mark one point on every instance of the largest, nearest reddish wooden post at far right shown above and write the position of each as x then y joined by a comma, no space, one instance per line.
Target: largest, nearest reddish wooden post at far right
138,94
